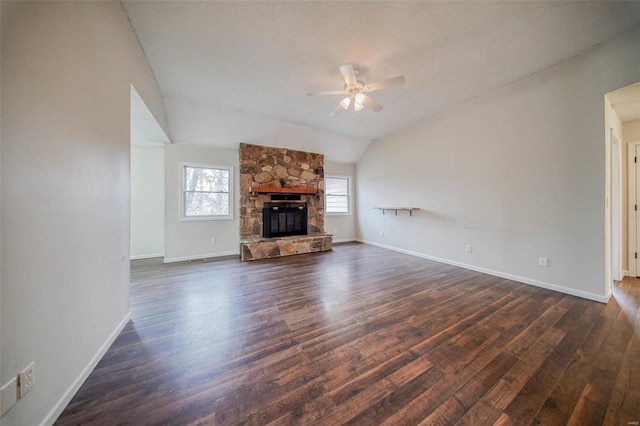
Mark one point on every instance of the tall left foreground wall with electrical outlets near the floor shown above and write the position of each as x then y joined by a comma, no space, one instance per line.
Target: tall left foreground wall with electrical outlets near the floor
67,68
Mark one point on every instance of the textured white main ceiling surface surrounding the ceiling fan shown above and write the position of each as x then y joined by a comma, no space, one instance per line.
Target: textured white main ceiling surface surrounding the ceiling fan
261,58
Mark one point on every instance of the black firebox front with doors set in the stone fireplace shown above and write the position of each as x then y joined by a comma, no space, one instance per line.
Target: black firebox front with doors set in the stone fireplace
282,219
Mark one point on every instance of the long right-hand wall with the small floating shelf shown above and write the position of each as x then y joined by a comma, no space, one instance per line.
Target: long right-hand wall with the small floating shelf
518,173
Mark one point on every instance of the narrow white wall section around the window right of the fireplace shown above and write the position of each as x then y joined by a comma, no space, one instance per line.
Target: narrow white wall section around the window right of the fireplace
343,227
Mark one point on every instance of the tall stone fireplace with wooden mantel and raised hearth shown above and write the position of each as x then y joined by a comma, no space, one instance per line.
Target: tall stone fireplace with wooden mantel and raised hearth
289,184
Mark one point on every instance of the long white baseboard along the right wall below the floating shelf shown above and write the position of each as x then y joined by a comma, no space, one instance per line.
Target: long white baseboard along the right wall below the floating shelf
524,280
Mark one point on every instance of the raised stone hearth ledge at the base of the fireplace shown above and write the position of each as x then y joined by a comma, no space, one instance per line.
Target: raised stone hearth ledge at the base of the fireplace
285,246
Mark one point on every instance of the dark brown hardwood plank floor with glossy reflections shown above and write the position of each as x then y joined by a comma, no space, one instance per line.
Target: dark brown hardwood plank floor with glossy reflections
362,335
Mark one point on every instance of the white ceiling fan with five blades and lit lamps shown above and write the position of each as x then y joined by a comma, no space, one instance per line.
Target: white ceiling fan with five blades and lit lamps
355,90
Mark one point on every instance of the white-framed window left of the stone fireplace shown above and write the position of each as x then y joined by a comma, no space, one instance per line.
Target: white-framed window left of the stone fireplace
206,192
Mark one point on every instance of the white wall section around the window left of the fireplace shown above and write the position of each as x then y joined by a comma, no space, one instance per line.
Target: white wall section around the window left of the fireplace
185,240
